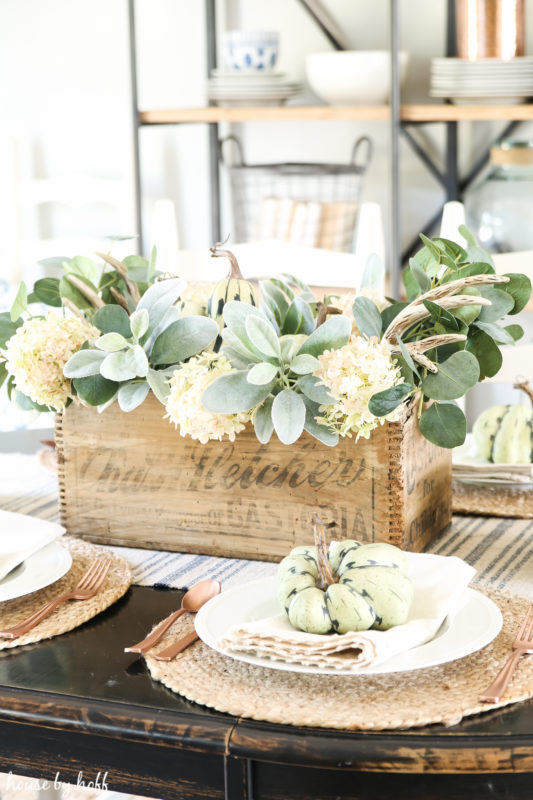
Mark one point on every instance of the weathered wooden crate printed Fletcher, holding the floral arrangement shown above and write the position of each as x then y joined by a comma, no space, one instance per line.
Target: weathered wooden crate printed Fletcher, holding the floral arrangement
131,479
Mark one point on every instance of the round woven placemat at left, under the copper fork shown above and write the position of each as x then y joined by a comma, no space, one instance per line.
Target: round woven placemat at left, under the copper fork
69,615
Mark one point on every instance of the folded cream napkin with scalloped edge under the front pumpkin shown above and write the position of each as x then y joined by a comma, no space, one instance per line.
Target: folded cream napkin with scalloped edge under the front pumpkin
439,582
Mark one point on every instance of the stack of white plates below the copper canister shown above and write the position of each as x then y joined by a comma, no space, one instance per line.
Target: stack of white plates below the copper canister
489,80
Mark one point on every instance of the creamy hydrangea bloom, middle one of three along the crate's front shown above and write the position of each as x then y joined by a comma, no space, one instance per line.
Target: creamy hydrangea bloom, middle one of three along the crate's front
184,403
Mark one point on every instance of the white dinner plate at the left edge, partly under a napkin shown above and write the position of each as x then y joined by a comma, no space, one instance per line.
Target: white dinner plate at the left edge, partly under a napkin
39,570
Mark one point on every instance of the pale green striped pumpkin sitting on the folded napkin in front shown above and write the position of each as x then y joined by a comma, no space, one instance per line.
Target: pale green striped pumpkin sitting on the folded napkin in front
368,587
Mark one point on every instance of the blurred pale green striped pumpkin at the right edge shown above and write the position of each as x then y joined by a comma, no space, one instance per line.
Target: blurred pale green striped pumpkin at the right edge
503,434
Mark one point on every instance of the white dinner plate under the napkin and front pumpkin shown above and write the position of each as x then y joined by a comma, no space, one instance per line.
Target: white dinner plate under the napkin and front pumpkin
475,622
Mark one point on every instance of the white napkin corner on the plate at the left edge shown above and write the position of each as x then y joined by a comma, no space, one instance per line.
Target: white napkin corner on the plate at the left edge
21,536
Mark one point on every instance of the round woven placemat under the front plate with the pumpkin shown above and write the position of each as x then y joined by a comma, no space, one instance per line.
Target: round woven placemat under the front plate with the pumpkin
442,694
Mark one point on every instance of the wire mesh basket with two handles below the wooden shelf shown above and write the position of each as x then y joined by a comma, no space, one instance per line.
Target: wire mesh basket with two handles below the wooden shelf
313,205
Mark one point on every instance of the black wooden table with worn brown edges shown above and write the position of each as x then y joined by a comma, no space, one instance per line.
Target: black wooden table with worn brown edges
79,704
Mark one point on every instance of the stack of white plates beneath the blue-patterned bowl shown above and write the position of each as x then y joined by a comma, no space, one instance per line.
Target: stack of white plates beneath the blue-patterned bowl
257,88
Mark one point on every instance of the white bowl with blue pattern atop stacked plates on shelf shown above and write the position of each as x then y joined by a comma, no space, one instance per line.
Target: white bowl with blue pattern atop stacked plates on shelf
250,51
